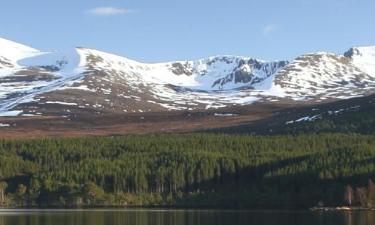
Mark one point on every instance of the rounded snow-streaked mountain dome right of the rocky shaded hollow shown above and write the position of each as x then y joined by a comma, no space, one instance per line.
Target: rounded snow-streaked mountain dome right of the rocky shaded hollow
322,76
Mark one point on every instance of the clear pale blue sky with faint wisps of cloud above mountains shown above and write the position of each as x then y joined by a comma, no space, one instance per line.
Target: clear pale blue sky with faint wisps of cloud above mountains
166,30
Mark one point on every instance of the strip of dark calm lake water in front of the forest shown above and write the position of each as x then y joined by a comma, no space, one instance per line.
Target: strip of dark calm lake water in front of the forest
182,217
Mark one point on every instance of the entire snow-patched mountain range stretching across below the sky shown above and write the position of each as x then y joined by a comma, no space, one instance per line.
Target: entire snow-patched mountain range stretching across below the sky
33,82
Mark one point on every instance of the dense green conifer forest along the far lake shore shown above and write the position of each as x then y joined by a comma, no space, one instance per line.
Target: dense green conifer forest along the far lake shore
186,170
